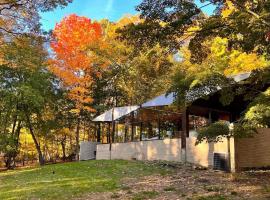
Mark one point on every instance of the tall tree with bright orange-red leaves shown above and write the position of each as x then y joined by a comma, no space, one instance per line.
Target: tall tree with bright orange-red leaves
72,63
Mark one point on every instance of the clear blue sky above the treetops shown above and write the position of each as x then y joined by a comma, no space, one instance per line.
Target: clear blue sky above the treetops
96,10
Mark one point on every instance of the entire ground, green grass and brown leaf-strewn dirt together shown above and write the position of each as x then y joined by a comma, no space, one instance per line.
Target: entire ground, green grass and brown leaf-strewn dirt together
132,180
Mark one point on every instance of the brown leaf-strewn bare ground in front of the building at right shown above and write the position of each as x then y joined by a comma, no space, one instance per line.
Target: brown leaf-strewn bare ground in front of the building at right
188,182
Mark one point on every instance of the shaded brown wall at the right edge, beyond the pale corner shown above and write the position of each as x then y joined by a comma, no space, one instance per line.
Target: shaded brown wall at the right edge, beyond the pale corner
253,152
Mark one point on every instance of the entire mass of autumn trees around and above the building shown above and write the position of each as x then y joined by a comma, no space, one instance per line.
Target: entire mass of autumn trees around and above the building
50,95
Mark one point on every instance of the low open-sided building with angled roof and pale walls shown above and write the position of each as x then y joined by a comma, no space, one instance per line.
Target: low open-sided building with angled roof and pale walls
157,130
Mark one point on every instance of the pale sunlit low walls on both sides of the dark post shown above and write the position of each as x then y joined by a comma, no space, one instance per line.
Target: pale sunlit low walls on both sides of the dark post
168,149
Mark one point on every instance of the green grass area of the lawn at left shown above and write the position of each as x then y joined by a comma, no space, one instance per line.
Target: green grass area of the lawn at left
69,180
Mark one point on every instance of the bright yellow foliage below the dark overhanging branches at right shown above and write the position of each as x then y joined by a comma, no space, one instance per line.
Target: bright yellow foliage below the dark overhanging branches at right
223,60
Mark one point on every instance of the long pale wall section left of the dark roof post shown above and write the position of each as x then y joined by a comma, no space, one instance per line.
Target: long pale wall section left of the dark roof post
168,149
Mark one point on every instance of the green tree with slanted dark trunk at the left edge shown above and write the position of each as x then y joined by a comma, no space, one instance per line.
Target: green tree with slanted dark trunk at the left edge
27,90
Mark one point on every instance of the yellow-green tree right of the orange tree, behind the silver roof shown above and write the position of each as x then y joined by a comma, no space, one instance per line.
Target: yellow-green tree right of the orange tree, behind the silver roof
133,78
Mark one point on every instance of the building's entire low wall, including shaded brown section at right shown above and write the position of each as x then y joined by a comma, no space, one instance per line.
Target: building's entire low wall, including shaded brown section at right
244,153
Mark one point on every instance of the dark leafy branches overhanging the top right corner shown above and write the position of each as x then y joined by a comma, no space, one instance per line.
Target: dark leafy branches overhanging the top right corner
244,23
